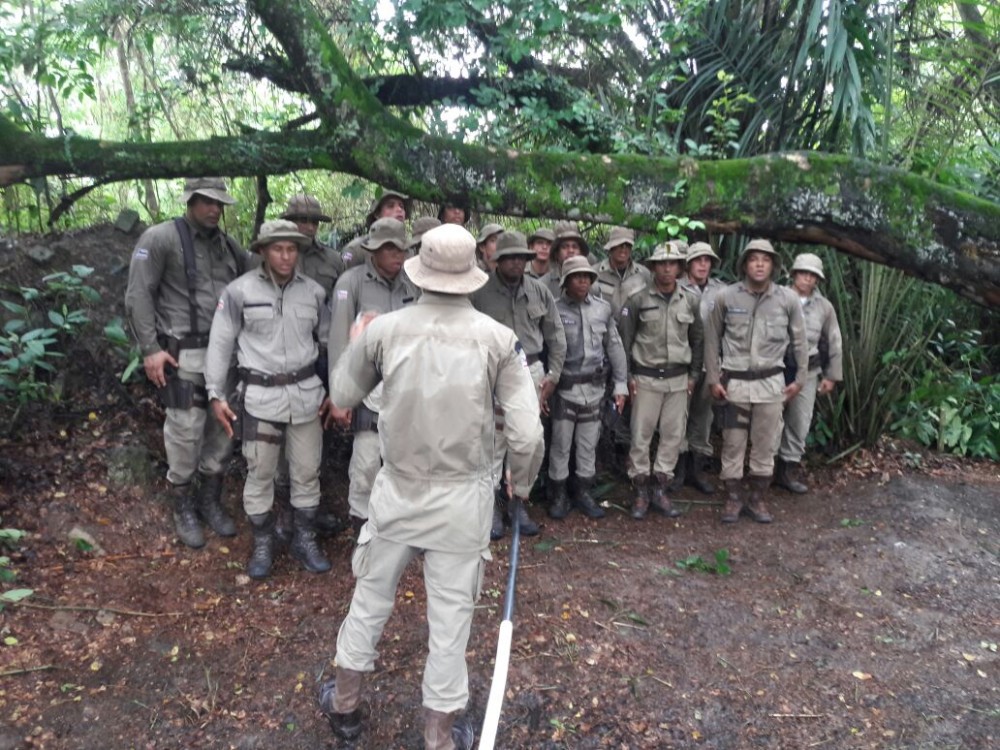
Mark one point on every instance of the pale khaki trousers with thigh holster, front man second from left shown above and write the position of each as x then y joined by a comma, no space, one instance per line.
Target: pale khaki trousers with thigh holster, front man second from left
303,445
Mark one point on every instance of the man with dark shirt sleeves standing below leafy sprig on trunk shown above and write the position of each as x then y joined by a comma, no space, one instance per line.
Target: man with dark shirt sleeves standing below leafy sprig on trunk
663,336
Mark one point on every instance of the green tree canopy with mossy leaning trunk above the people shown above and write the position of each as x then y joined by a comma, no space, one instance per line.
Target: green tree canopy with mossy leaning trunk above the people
869,127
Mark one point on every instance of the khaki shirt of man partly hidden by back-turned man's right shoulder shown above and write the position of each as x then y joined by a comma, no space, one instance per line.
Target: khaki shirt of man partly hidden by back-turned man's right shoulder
529,311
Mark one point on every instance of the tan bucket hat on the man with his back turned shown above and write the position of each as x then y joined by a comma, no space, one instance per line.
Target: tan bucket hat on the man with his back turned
447,262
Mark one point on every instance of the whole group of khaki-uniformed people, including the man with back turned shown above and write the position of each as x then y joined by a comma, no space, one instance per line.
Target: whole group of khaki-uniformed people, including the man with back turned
444,398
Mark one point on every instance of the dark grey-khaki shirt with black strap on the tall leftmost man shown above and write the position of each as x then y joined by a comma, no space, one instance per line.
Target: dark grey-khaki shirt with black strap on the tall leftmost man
156,300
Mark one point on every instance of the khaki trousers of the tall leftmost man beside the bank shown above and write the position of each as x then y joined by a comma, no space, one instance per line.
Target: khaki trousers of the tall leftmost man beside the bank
192,438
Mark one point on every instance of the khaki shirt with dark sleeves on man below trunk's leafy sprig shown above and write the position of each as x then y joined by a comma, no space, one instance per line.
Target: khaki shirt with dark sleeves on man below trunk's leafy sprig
662,331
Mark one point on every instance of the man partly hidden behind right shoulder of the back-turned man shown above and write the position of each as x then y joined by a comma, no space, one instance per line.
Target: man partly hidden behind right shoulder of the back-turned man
526,307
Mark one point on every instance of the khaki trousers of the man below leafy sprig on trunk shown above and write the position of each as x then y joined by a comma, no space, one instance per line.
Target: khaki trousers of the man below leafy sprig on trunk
657,409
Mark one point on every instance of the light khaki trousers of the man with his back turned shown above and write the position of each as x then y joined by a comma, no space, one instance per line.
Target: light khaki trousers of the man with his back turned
453,581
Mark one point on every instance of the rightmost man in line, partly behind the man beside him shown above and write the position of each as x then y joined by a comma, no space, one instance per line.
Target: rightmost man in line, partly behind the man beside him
825,370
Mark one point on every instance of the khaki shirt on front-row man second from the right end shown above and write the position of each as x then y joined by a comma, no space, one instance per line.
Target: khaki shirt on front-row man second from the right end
748,331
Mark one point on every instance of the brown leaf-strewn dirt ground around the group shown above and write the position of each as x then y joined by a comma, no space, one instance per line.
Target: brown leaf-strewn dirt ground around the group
866,616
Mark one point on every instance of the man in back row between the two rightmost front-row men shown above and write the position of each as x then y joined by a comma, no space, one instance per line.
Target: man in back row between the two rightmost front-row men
696,449
